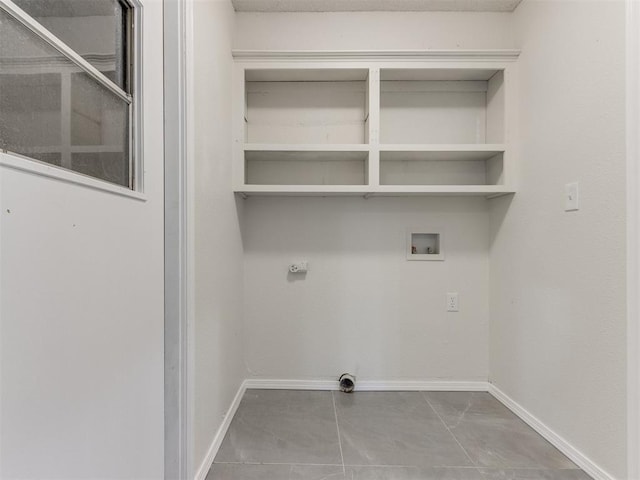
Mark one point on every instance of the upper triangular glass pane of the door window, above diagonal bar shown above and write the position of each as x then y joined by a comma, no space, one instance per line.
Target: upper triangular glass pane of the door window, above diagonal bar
95,29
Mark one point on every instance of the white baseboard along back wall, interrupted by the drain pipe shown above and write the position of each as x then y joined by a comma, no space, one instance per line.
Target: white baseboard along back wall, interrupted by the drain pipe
370,385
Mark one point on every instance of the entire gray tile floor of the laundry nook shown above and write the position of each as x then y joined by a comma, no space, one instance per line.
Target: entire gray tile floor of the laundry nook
314,435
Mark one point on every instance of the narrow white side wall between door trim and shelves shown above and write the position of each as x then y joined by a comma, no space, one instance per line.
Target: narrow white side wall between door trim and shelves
218,369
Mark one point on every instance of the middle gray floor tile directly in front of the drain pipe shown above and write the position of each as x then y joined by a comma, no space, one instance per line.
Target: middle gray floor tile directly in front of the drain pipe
376,430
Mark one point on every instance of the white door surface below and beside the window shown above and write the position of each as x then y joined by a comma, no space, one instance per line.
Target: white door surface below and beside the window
81,316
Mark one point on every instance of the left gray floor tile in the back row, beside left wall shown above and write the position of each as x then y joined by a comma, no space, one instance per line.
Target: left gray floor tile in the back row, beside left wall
294,427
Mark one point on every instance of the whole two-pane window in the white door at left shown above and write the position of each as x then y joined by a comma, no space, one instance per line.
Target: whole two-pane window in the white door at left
67,85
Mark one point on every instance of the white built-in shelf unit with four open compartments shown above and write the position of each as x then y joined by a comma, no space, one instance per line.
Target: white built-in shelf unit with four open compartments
343,124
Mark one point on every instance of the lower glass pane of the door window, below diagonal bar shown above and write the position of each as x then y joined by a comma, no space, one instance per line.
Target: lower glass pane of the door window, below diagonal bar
52,111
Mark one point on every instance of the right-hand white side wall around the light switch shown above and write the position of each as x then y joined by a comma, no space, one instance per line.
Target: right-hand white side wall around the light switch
558,278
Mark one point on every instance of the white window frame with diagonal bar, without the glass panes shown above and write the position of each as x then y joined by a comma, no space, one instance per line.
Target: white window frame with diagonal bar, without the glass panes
133,80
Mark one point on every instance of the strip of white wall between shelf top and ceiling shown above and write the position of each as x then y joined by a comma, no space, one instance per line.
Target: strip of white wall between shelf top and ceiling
372,31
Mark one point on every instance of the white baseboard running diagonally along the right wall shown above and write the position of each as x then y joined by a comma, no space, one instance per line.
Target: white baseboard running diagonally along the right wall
575,455
